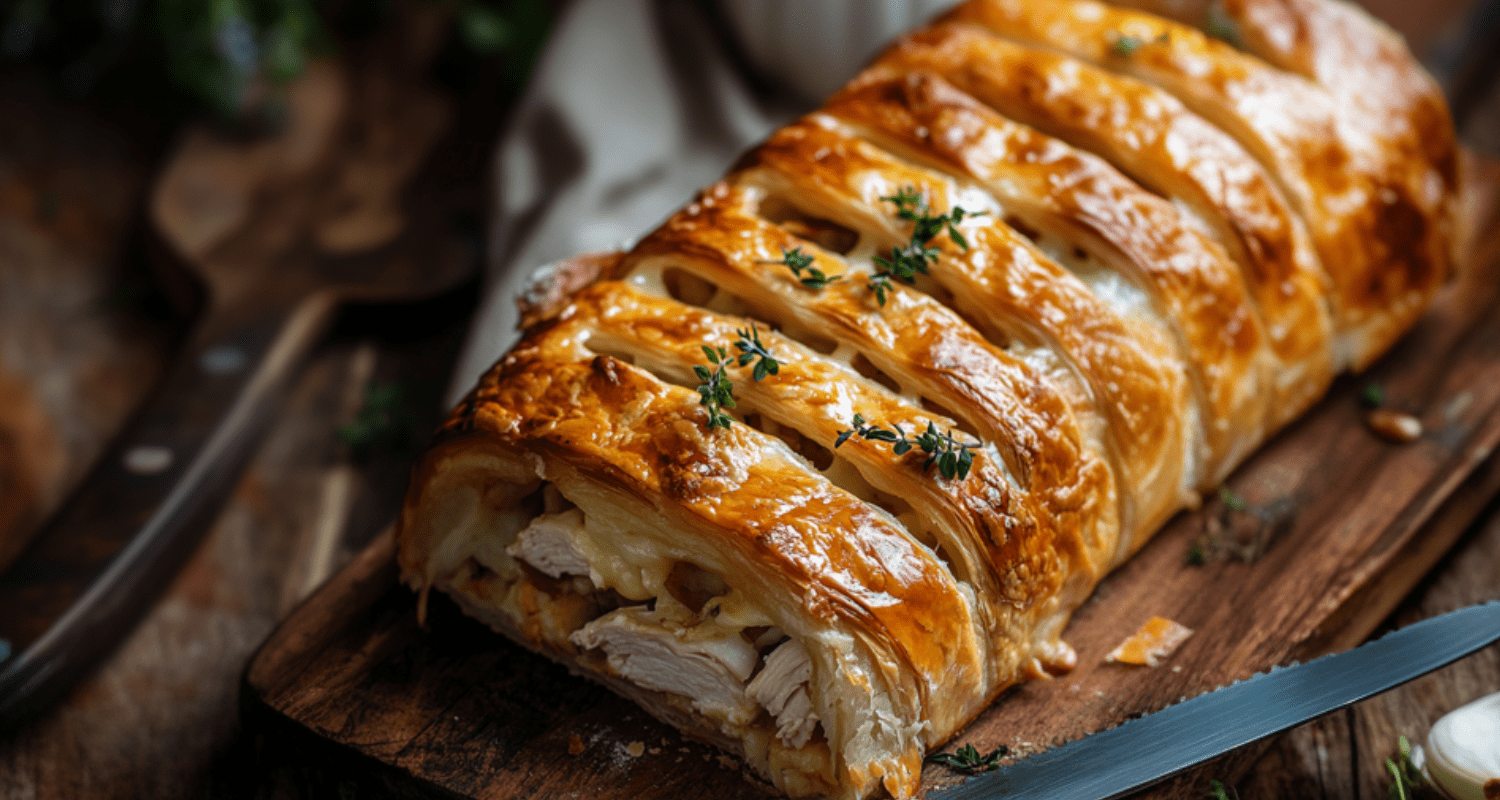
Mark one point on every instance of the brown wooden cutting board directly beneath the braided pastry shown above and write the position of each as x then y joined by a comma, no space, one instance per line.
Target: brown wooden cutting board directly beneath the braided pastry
1337,528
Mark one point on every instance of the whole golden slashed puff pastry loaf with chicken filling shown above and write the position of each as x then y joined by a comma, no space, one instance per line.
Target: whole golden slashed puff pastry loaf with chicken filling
1135,251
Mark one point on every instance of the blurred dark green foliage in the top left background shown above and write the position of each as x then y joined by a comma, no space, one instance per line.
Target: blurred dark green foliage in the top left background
235,55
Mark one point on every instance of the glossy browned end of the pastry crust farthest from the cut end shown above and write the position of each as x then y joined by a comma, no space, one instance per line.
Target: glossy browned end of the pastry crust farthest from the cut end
1355,134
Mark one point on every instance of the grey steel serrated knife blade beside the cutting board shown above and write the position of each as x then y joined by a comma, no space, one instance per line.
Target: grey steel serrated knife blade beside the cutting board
1153,748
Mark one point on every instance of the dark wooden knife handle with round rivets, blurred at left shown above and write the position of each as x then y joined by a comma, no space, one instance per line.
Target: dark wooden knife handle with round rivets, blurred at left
77,591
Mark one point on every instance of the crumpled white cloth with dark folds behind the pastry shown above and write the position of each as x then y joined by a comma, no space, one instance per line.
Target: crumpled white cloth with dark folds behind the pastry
638,104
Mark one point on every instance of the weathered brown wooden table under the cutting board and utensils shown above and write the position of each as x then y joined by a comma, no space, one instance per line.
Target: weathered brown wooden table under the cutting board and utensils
161,718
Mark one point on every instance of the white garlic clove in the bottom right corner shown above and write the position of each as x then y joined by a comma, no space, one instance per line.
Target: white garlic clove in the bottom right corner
1462,759
